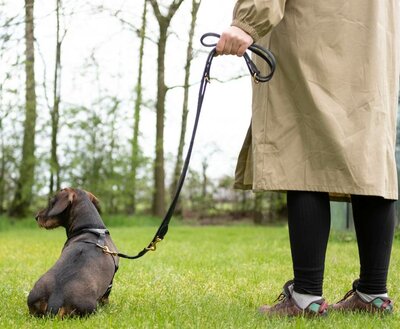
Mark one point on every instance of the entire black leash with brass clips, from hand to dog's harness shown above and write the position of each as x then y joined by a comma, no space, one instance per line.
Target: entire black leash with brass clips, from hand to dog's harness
268,57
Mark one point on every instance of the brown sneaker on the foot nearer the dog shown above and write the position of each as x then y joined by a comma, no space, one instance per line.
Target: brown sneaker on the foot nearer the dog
287,306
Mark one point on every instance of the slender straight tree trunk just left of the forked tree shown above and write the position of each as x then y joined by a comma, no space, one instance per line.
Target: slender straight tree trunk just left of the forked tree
138,103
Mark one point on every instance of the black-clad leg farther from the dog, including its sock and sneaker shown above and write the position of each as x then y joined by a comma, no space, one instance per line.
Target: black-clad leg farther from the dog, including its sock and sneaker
374,224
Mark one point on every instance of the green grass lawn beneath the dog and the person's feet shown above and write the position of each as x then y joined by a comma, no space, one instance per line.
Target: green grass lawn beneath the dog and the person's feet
199,277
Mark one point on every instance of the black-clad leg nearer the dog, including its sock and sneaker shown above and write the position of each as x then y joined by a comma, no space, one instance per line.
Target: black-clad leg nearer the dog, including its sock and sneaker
309,225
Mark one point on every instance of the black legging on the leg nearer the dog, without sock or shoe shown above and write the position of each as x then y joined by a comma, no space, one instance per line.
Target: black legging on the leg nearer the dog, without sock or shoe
309,225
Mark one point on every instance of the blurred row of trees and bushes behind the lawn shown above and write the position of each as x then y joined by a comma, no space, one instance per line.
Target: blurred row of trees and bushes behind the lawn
96,141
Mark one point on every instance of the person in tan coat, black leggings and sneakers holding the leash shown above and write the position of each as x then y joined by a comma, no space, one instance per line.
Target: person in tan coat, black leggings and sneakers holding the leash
324,128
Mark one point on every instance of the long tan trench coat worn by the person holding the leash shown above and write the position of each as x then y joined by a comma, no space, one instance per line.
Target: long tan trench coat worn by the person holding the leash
327,120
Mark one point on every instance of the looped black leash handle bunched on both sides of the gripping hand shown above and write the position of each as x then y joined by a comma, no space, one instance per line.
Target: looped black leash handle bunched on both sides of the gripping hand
258,50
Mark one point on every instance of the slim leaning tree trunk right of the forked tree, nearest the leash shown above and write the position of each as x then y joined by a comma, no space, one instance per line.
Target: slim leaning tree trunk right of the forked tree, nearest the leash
189,57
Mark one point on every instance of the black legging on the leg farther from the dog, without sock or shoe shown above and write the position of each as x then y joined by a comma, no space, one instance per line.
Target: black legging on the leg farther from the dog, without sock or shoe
374,220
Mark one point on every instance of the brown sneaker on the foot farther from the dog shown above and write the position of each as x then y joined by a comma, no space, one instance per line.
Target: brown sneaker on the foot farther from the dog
353,302
